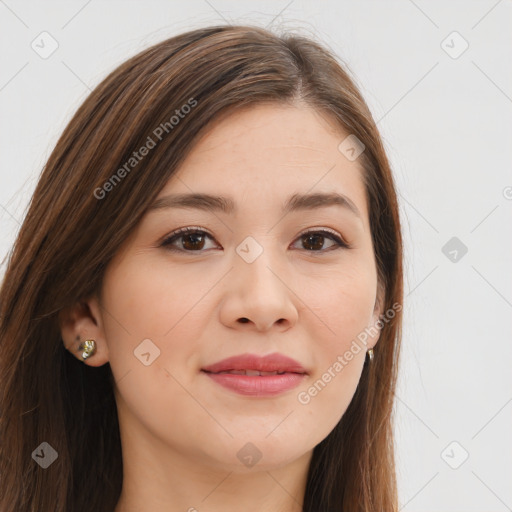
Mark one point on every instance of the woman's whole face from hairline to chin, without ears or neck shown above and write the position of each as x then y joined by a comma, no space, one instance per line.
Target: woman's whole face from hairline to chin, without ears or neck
245,281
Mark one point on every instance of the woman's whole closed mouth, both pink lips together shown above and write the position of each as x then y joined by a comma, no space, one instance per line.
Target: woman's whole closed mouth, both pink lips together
293,373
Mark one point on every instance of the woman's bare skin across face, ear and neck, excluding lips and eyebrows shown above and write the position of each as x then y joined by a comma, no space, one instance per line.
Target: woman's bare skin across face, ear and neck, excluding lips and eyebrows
181,431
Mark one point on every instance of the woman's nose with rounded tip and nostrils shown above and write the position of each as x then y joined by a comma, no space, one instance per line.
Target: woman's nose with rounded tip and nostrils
259,294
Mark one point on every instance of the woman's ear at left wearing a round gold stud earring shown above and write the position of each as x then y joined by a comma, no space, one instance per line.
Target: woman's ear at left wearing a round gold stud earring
83,321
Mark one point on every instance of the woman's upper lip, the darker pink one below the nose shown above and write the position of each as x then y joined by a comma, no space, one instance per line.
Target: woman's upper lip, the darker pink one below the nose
269,363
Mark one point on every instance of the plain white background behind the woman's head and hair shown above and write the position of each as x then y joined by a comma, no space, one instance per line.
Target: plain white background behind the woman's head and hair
446,123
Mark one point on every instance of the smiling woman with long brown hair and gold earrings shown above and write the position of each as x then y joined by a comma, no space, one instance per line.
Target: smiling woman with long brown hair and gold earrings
202,309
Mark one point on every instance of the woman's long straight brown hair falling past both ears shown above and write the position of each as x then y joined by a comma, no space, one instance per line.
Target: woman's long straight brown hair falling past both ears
76,222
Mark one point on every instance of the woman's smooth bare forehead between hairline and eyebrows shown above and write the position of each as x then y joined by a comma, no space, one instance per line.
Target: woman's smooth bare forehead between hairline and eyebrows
268,152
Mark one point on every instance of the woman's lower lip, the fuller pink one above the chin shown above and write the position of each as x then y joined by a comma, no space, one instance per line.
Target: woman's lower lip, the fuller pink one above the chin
249,385
